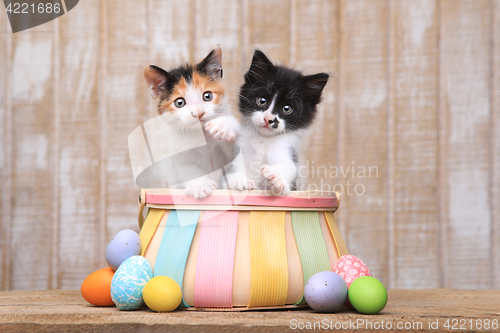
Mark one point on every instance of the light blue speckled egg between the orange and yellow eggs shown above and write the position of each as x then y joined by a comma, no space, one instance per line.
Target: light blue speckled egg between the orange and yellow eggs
129,281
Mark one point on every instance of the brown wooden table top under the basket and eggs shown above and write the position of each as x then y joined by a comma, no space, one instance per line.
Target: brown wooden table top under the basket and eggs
422,310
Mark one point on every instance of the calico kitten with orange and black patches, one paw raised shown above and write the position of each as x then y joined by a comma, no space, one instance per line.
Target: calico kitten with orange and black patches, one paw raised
191,99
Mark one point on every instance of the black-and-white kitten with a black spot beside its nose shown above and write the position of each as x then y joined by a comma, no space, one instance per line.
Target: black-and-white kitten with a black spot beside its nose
277,105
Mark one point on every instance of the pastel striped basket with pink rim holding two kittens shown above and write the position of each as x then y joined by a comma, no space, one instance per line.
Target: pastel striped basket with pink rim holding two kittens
238,251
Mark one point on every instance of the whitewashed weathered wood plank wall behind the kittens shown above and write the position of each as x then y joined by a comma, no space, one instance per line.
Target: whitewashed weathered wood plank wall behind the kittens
414,94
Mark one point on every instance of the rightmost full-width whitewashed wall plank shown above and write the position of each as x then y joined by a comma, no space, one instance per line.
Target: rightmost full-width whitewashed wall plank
465,107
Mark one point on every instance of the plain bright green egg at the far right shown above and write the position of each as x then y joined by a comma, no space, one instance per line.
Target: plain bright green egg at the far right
368,295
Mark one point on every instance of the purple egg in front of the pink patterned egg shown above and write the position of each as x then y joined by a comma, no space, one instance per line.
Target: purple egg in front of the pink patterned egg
325,292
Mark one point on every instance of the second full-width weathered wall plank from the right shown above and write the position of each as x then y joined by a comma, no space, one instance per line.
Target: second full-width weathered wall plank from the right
414,159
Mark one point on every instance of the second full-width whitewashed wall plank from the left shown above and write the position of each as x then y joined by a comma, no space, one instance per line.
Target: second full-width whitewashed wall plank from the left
79,144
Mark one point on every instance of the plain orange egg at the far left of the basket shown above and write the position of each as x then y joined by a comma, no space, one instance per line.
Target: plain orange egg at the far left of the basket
96,288
